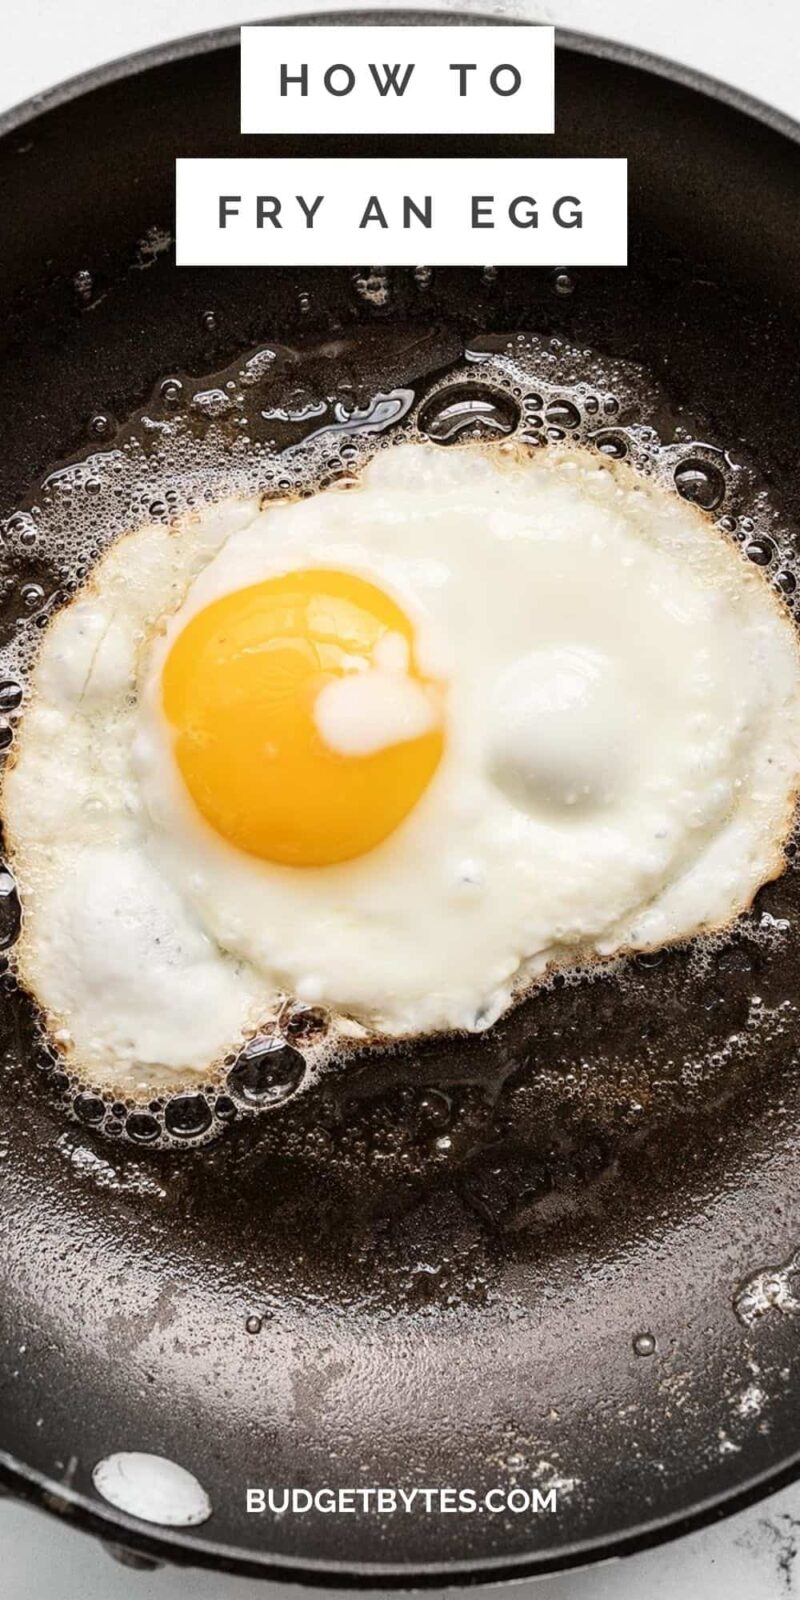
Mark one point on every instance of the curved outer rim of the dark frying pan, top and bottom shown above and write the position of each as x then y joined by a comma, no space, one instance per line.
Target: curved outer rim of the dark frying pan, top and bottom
182,1550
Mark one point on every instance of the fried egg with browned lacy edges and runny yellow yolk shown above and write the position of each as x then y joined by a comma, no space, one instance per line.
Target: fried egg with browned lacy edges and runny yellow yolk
394,751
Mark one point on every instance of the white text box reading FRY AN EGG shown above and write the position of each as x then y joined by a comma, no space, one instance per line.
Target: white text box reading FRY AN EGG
540,212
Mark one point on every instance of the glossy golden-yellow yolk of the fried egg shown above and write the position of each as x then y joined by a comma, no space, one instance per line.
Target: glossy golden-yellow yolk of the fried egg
239,689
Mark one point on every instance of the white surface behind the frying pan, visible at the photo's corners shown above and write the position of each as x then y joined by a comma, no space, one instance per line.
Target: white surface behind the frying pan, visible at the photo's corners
753,1556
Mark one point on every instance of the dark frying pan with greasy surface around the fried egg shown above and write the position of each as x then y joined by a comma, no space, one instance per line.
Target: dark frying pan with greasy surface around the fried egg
426,1316
